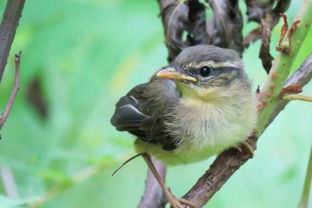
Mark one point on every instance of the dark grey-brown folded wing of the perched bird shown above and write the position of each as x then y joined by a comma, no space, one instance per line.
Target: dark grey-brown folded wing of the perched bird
141,113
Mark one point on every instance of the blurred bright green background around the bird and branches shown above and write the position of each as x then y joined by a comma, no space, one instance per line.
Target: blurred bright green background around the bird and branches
79,57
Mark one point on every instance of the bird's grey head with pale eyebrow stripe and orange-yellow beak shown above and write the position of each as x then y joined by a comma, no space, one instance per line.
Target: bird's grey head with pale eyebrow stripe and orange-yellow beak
206,72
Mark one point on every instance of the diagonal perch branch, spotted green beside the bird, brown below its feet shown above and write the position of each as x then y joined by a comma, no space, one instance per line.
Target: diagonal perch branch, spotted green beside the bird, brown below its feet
230,161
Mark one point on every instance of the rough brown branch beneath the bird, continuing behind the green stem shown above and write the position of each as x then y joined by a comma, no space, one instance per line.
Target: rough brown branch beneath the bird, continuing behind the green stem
231,160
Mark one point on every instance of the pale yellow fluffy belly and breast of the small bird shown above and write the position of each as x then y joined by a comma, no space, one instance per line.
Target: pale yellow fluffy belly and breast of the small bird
202,131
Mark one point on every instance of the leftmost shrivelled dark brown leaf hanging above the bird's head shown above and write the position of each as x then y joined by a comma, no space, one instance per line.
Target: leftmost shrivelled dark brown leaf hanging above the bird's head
185,25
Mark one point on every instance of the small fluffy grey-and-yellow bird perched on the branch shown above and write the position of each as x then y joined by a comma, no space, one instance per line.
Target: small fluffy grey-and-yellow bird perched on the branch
196,107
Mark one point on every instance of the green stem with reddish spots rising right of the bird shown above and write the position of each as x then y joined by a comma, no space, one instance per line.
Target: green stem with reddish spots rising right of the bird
269,96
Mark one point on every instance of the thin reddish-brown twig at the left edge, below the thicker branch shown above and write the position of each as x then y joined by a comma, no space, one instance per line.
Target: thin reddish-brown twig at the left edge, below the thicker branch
8,107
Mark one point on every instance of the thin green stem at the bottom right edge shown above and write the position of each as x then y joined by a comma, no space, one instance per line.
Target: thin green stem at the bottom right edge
307,185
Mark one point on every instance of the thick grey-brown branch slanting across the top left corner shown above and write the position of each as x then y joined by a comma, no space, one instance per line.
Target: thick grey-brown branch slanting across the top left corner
9,23
